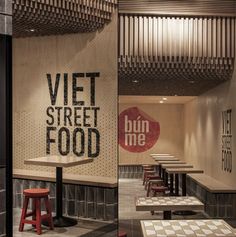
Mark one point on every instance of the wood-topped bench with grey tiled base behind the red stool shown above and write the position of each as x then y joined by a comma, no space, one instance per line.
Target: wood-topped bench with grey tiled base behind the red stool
83,196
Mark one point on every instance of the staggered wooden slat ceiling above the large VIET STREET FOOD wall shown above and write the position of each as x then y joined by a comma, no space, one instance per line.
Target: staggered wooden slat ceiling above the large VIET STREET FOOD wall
51,17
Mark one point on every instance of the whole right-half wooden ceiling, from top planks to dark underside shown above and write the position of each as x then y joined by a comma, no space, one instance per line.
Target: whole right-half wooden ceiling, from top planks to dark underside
173,54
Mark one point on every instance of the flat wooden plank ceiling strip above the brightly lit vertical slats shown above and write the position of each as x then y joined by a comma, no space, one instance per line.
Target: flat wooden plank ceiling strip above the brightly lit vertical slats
179,7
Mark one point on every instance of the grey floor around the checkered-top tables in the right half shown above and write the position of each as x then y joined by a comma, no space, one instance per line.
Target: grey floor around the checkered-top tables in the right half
129,218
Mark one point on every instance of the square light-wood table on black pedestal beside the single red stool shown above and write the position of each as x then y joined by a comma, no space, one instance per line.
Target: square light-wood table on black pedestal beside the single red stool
59,162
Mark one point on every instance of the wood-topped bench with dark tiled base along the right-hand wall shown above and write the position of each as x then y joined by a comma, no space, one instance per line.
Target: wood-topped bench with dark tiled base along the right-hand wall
219,199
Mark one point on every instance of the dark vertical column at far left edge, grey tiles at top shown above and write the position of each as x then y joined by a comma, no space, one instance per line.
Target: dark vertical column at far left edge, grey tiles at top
6,220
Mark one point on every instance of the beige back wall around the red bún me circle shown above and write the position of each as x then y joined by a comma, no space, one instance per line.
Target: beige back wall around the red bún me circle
171,137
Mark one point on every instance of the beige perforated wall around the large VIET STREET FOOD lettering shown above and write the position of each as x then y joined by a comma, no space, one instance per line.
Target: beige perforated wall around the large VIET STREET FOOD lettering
87,52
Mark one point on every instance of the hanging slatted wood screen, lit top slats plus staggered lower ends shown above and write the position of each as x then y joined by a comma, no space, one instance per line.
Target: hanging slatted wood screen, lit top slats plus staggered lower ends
176,48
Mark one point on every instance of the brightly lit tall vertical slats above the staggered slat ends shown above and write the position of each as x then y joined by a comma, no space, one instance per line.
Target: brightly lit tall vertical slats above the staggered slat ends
148,36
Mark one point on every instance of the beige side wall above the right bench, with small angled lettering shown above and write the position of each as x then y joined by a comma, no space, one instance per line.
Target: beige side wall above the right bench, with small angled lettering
203,127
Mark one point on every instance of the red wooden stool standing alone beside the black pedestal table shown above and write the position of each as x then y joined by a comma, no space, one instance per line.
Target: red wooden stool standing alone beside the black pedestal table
36,194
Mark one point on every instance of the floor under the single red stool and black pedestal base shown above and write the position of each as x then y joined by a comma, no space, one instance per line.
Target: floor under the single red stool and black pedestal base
84,228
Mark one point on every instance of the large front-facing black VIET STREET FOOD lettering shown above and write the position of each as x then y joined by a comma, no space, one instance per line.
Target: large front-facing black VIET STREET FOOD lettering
84,138
